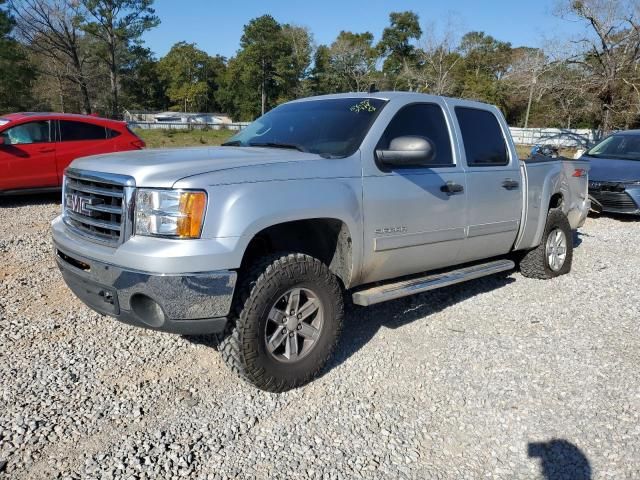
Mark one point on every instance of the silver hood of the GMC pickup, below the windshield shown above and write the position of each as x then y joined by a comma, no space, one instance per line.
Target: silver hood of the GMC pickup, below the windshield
162,168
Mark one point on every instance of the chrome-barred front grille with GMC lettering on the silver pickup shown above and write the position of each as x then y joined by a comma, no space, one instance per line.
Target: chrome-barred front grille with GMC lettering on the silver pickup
94,207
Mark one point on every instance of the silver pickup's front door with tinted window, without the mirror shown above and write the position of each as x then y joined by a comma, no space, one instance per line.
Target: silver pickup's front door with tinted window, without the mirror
411,223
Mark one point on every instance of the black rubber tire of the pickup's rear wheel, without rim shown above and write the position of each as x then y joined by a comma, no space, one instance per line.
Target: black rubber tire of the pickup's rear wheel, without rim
535,263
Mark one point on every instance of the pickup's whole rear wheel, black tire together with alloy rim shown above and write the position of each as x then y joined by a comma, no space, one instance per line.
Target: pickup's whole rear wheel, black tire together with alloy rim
554,255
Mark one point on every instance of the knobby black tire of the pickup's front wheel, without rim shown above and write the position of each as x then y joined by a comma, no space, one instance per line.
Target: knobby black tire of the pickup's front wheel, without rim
244,347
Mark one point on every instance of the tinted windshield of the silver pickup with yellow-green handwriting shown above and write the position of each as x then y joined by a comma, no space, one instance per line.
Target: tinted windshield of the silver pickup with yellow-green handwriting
331,128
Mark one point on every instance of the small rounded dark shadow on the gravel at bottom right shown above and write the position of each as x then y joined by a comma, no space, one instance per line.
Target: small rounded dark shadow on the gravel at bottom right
560,460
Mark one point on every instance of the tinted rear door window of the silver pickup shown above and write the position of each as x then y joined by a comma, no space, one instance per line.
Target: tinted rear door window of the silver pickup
482,137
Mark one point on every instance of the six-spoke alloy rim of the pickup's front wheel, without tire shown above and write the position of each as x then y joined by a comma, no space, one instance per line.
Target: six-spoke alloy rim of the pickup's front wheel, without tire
294,325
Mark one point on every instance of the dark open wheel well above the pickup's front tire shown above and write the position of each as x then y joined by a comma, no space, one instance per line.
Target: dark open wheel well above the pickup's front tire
326,239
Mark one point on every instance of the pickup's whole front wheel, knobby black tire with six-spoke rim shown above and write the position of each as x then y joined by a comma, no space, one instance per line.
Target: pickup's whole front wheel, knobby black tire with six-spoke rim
289,319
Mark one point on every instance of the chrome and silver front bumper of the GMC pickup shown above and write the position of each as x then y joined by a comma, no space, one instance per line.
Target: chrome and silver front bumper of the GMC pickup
187,303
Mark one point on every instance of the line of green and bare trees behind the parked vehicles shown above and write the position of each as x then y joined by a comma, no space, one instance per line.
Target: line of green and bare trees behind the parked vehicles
89,56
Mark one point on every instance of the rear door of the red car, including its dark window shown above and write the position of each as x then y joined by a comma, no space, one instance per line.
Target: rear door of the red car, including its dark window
80,139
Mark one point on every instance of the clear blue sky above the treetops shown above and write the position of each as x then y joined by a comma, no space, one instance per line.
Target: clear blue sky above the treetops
216,26
